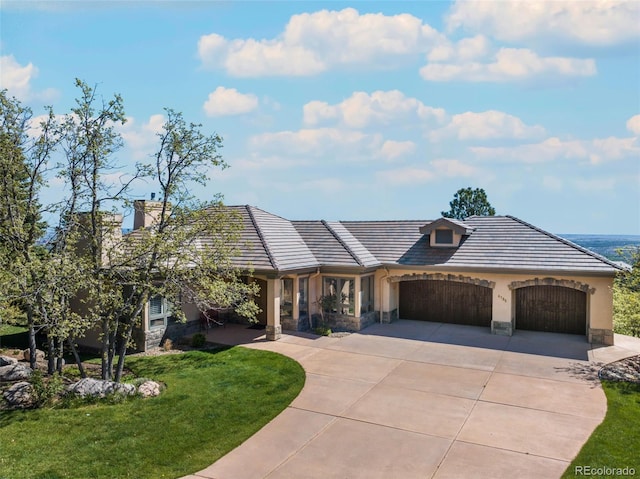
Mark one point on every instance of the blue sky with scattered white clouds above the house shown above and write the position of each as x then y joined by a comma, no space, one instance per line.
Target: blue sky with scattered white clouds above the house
364,110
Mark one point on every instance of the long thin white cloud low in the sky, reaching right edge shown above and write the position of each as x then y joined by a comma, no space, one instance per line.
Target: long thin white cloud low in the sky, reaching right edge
595,151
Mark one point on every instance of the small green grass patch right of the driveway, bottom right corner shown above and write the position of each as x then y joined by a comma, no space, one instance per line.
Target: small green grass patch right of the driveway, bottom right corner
616,441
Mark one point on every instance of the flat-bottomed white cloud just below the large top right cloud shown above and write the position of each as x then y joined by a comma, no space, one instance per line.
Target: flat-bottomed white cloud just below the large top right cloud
510,64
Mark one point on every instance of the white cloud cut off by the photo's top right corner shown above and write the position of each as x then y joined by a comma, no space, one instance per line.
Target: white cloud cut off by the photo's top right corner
589,22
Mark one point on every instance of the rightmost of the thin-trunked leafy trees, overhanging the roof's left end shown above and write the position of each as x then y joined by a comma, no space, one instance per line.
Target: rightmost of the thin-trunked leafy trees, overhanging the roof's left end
185,255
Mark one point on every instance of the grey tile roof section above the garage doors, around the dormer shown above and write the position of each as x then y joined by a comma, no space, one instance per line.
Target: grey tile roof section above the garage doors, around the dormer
497,242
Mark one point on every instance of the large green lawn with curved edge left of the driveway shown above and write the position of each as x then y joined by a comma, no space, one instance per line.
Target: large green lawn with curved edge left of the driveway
213,402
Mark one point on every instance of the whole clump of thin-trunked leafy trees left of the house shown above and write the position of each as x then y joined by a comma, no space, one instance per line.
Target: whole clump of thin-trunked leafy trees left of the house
86,273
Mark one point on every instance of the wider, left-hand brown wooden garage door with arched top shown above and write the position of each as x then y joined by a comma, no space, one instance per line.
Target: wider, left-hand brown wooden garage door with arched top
445,301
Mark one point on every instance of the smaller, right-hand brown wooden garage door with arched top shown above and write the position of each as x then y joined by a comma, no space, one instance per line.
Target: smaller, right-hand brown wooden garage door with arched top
551,308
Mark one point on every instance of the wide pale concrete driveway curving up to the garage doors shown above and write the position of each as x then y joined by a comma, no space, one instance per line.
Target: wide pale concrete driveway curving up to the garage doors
427,400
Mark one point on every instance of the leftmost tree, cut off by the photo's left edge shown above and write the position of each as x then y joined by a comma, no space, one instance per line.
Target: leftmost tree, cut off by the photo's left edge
24,154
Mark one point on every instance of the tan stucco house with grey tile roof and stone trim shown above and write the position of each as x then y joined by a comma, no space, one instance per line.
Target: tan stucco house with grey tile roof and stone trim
497,272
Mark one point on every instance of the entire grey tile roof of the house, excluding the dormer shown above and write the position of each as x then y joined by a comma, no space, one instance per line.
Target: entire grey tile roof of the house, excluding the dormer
498,243
